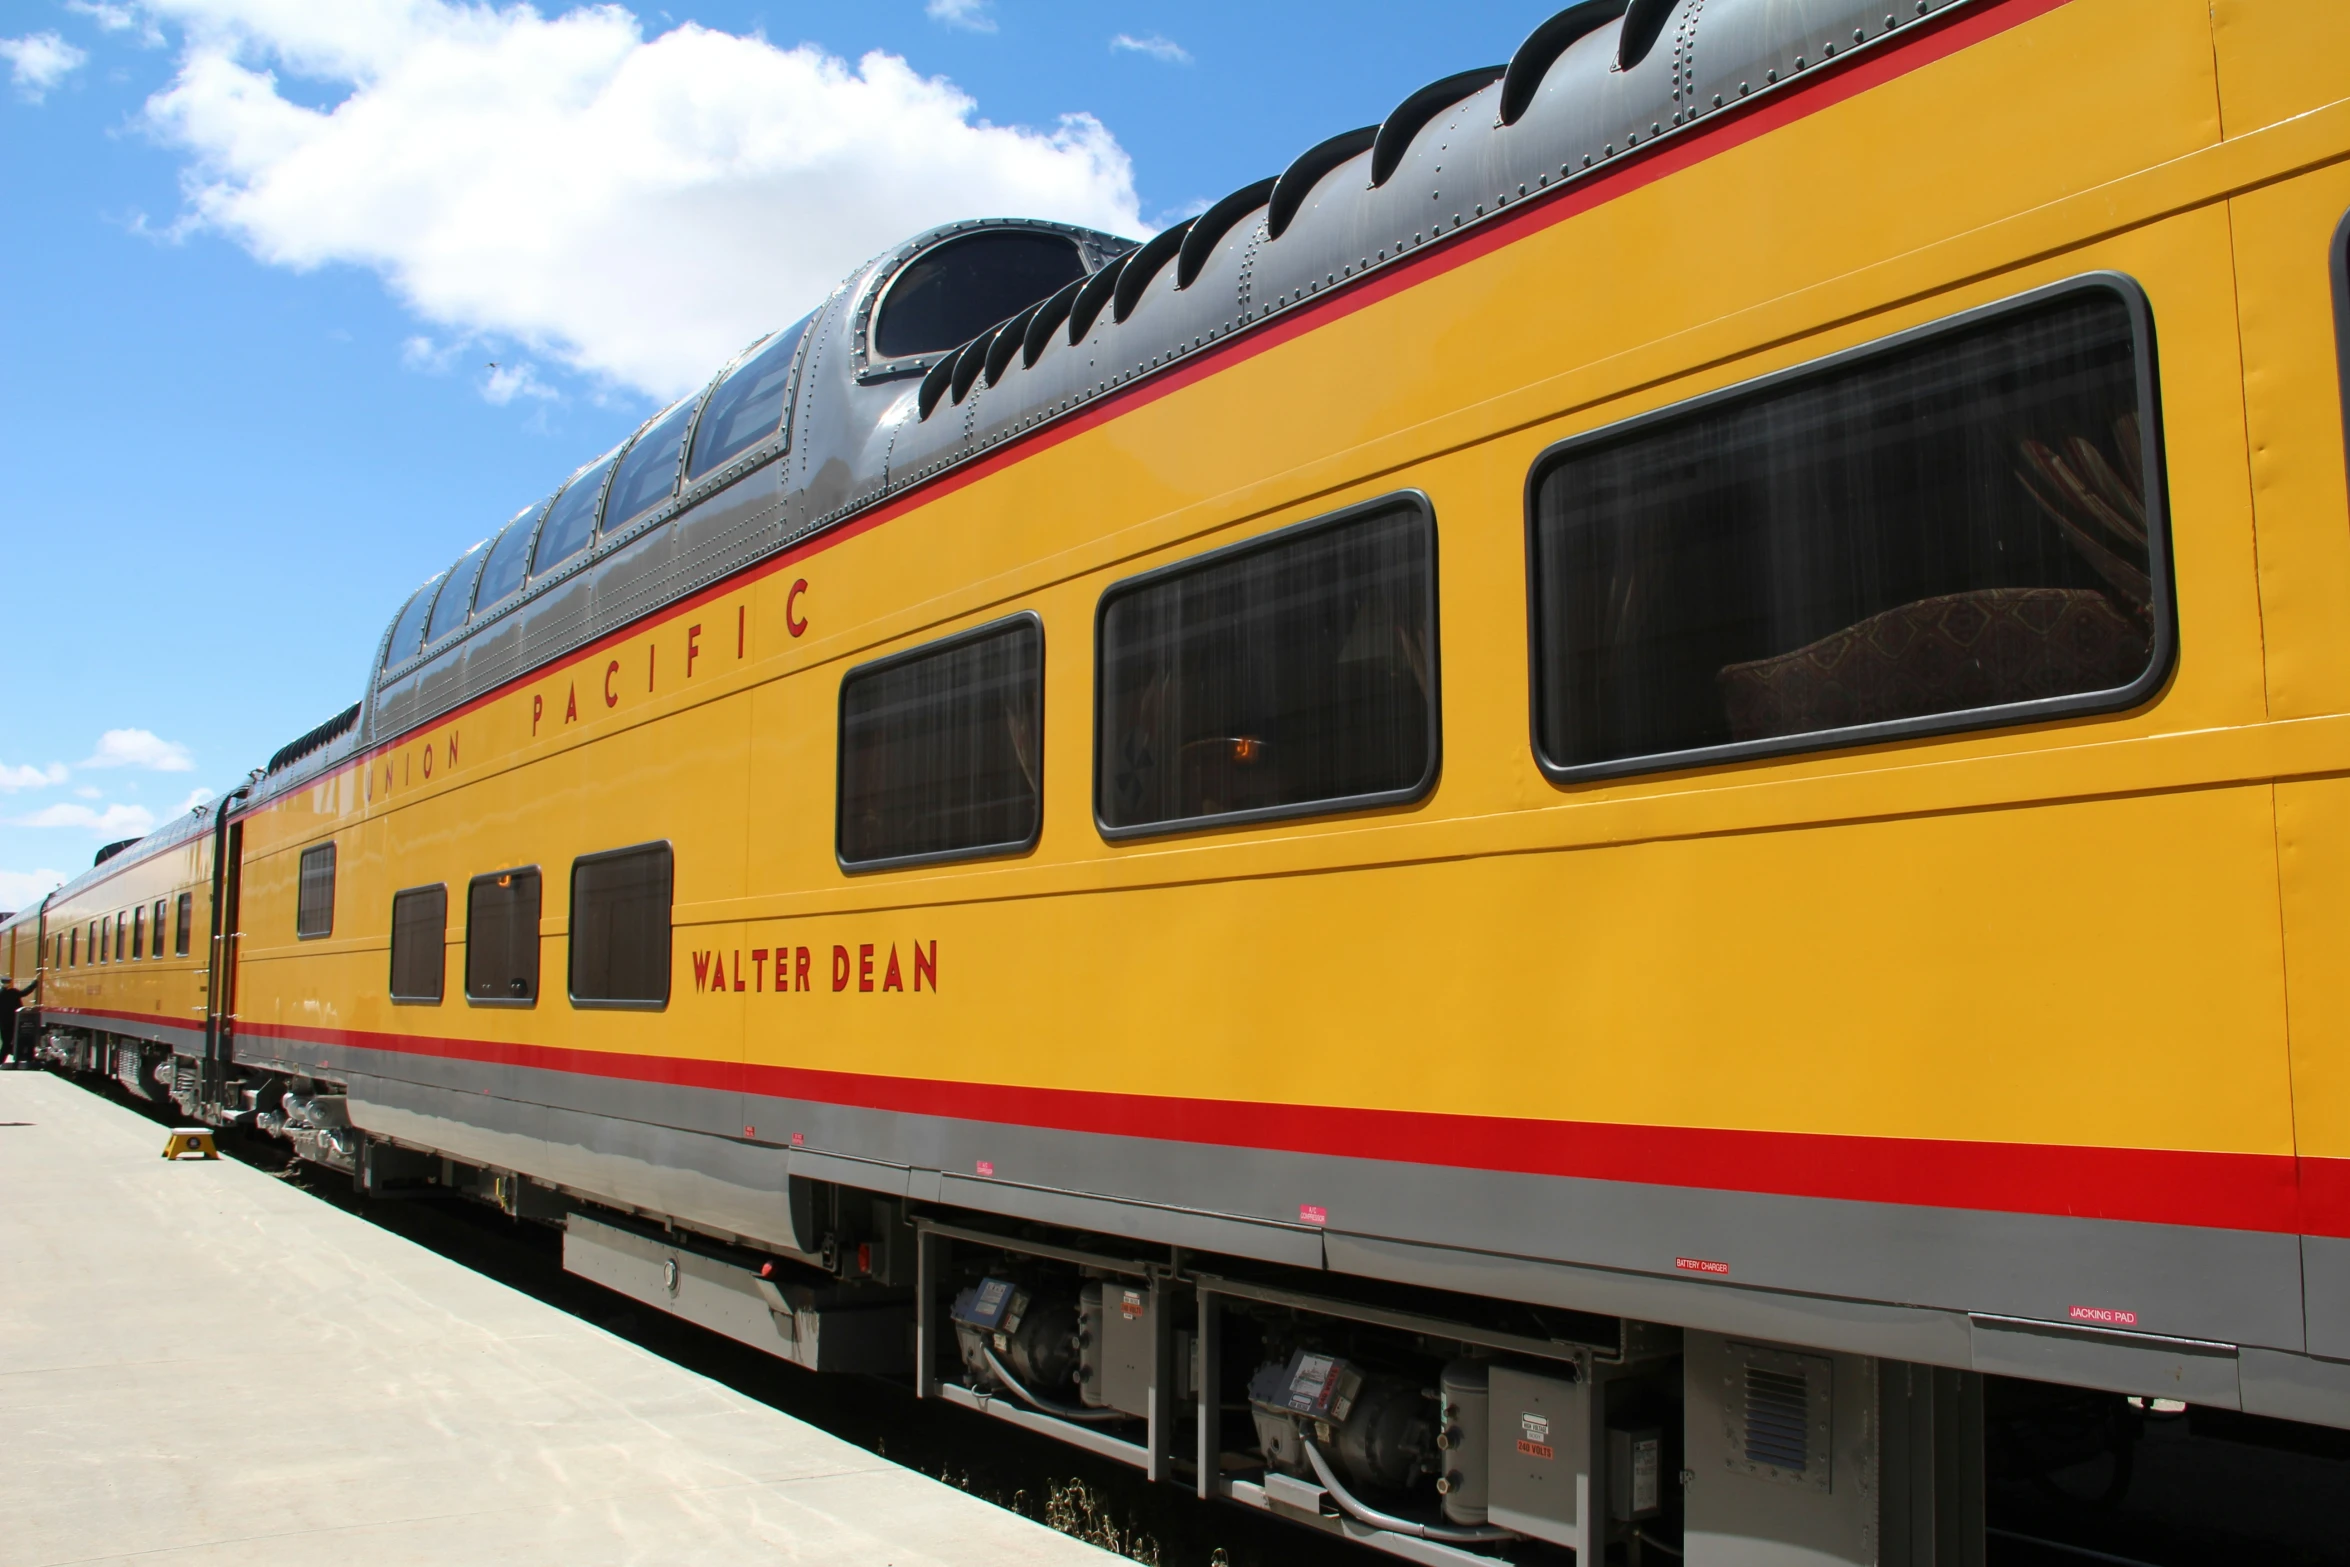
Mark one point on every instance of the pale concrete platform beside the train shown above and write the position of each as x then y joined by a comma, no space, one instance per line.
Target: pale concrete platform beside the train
201,1364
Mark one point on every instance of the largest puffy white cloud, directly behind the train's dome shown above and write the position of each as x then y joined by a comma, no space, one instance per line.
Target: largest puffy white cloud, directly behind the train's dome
631,208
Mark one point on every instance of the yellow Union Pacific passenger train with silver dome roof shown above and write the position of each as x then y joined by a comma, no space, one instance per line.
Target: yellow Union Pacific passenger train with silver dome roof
1529,842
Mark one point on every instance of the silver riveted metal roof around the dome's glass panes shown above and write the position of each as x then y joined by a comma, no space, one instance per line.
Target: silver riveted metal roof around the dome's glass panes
1592,86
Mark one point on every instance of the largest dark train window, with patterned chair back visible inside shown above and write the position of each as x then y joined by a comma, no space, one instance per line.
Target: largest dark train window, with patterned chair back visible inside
1952,530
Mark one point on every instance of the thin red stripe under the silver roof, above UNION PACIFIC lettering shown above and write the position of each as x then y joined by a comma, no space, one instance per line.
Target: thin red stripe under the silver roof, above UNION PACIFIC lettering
1731,128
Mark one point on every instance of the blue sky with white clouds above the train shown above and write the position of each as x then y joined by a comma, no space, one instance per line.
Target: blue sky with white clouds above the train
309,295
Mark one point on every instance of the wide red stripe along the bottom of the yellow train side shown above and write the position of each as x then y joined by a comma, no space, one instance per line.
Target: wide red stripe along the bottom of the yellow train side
2137,1185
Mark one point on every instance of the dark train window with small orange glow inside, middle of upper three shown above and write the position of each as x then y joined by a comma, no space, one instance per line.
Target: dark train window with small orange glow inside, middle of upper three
1280,678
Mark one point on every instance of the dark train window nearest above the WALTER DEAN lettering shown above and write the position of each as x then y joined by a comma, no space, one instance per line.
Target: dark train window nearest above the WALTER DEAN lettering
944,751
